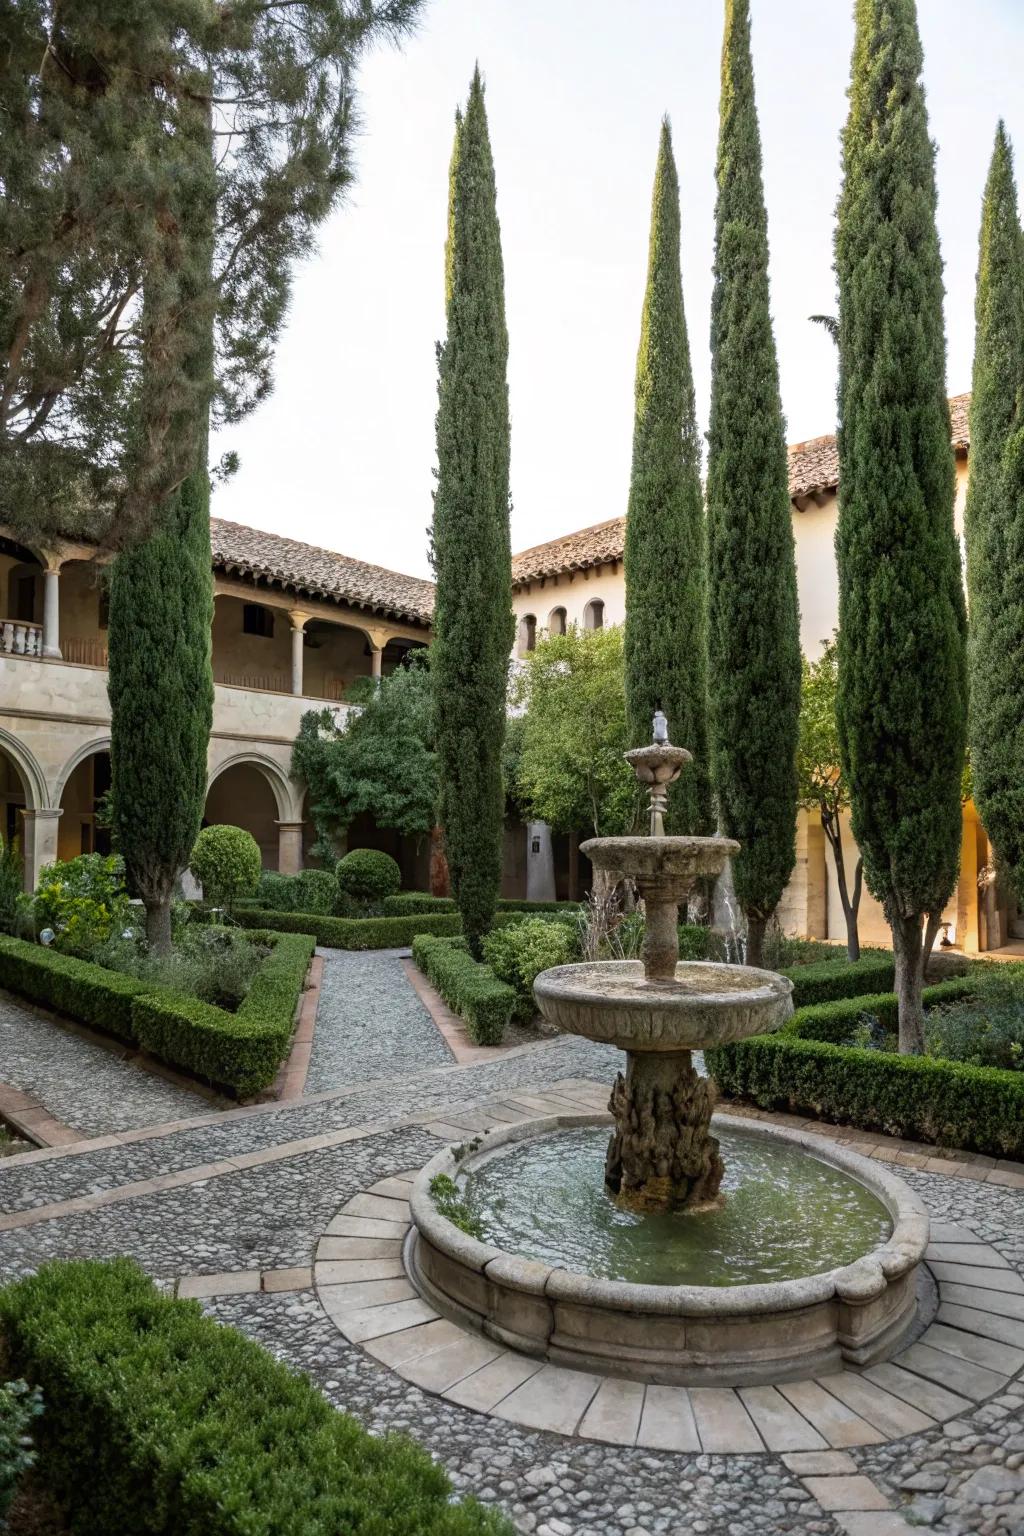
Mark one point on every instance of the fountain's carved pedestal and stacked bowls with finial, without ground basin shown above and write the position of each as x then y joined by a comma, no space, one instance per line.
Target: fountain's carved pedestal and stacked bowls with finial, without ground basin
662,1154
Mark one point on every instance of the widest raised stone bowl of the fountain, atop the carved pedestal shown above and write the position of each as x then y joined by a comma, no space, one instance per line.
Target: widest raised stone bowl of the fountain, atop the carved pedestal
707,1005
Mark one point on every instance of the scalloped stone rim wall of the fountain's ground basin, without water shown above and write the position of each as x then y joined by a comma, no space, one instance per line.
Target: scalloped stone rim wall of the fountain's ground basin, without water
689,1336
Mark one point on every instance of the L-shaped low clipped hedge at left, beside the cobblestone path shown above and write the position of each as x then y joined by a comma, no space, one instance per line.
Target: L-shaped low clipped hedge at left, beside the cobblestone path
239,1051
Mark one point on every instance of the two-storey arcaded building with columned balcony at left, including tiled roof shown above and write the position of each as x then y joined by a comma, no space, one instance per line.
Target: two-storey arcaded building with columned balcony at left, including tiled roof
294,627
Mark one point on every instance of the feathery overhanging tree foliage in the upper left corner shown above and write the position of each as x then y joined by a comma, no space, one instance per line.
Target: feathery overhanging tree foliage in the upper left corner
97,101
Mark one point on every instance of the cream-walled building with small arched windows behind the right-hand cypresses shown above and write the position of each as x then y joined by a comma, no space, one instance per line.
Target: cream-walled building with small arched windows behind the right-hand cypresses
580,580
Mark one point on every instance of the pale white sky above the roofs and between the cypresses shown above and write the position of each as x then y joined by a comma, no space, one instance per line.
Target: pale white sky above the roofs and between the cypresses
343,452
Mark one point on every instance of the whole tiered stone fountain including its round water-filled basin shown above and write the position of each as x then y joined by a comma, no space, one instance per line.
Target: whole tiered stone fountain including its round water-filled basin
784,1259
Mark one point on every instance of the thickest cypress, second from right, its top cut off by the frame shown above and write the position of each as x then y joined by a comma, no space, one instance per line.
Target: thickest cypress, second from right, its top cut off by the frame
902,674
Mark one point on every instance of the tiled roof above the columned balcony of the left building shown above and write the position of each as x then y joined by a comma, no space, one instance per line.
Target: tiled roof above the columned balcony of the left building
320,574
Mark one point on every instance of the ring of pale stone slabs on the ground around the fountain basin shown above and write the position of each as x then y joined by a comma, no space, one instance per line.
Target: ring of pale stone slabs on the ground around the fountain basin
368,1280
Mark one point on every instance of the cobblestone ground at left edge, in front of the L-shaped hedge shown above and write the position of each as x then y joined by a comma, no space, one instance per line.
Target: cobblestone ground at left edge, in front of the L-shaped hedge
81,1084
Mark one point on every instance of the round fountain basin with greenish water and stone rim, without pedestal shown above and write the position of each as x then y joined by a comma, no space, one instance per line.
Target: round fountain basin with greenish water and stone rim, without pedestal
811,1262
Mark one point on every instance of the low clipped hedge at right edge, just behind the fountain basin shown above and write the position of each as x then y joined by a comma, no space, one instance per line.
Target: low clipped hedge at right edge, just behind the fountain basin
805,1068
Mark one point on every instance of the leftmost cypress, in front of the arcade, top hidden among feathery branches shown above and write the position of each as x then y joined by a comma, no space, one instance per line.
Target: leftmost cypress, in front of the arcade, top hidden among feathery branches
162,604
